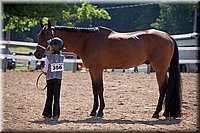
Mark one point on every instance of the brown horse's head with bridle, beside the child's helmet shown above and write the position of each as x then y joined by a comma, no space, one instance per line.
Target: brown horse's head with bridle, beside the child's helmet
45,34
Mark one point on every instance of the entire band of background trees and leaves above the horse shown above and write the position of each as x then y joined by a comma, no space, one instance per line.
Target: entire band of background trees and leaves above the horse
173,18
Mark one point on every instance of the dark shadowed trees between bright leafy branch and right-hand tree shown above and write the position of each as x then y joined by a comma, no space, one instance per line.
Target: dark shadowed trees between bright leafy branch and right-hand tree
129,19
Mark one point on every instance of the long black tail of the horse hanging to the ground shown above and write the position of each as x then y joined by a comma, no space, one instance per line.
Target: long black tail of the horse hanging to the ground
174,92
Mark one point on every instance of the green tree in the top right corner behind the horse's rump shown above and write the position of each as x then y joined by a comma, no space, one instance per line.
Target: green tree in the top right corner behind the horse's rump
175,18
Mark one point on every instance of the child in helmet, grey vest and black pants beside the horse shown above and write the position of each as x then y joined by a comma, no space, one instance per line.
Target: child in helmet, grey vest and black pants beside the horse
53,69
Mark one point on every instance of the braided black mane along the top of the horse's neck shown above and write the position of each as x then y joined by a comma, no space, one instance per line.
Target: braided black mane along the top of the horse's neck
76,29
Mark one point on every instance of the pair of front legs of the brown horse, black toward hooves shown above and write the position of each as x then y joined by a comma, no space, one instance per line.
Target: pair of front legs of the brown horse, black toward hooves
97,84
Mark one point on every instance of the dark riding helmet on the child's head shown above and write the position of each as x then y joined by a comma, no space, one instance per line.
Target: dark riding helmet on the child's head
56,43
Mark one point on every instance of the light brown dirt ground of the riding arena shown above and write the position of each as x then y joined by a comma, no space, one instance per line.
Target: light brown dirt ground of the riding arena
130,100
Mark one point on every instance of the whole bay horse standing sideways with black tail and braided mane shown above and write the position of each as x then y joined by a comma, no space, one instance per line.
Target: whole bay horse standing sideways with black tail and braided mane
102,48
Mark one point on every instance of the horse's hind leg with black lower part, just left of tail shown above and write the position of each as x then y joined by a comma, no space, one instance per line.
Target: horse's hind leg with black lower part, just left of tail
162,83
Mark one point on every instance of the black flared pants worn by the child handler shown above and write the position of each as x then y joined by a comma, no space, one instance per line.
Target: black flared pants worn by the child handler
53,93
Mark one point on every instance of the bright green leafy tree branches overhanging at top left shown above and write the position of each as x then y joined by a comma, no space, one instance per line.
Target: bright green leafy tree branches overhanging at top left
21,17
